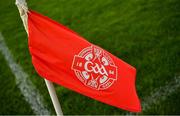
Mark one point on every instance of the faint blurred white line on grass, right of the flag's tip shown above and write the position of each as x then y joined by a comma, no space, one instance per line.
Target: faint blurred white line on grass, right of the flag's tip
161,94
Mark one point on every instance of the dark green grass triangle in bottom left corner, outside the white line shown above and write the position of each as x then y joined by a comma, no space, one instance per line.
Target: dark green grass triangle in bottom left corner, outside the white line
11,99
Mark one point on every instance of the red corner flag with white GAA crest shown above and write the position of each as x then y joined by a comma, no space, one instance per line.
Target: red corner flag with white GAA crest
62,56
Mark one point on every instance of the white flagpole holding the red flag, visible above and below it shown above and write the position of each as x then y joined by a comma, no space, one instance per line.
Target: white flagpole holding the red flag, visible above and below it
23,9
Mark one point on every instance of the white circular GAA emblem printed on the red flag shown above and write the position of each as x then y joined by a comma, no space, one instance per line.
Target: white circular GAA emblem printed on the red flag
95,68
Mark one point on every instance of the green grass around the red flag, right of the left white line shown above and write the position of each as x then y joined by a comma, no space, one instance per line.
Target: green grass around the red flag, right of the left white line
144,33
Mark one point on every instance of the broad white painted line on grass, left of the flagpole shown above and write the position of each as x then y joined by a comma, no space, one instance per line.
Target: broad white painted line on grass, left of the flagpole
26,87
